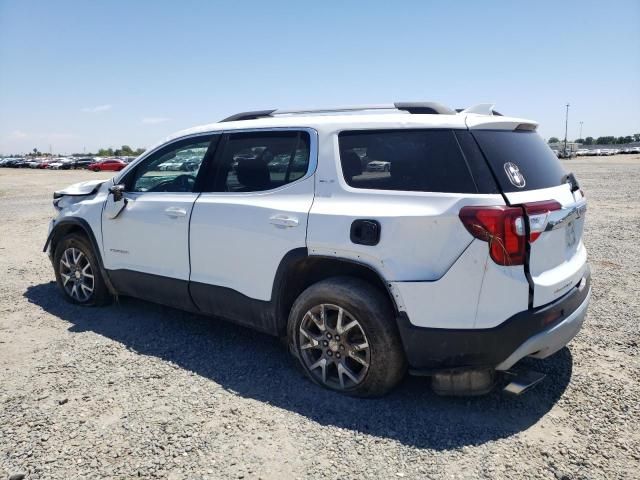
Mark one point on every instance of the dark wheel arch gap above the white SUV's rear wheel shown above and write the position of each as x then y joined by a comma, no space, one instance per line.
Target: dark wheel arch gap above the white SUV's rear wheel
298,270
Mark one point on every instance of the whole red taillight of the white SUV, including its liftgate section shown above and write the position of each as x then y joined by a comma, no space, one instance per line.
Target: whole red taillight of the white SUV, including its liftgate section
504,228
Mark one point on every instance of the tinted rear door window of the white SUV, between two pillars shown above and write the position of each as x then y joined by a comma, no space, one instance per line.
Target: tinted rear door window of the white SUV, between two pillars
258,161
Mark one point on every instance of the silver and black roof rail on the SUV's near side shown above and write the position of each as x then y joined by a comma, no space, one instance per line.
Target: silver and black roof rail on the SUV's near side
431,108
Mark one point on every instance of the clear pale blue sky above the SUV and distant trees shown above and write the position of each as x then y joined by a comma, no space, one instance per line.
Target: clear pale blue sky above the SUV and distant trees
80,75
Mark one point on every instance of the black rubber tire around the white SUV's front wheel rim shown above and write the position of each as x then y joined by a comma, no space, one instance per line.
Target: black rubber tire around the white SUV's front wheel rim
100,293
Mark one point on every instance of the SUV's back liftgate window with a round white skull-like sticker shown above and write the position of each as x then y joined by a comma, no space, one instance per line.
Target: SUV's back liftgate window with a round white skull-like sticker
520,160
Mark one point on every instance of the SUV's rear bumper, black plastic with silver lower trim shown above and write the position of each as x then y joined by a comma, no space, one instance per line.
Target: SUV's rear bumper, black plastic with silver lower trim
537,332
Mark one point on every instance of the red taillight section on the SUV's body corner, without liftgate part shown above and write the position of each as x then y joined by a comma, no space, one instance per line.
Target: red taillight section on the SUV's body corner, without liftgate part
502,227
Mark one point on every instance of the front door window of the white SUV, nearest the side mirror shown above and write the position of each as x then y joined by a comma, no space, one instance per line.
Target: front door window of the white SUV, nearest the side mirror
173,168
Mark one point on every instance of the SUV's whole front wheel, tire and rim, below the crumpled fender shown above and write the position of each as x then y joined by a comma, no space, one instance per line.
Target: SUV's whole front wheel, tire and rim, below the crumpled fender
77,272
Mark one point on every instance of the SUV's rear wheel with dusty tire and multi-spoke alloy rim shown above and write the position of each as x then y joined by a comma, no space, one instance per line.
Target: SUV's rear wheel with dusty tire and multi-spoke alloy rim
343,333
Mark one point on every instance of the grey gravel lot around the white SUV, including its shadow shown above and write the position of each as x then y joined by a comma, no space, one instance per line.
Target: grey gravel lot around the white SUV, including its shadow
138,390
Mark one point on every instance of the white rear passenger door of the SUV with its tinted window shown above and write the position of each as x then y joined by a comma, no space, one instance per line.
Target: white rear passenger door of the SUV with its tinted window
252,214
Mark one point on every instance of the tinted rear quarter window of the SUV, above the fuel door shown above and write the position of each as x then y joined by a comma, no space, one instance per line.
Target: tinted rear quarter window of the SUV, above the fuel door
410,160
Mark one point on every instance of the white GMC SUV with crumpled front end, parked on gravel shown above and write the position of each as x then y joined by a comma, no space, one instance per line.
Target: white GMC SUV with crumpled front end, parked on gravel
375,239
